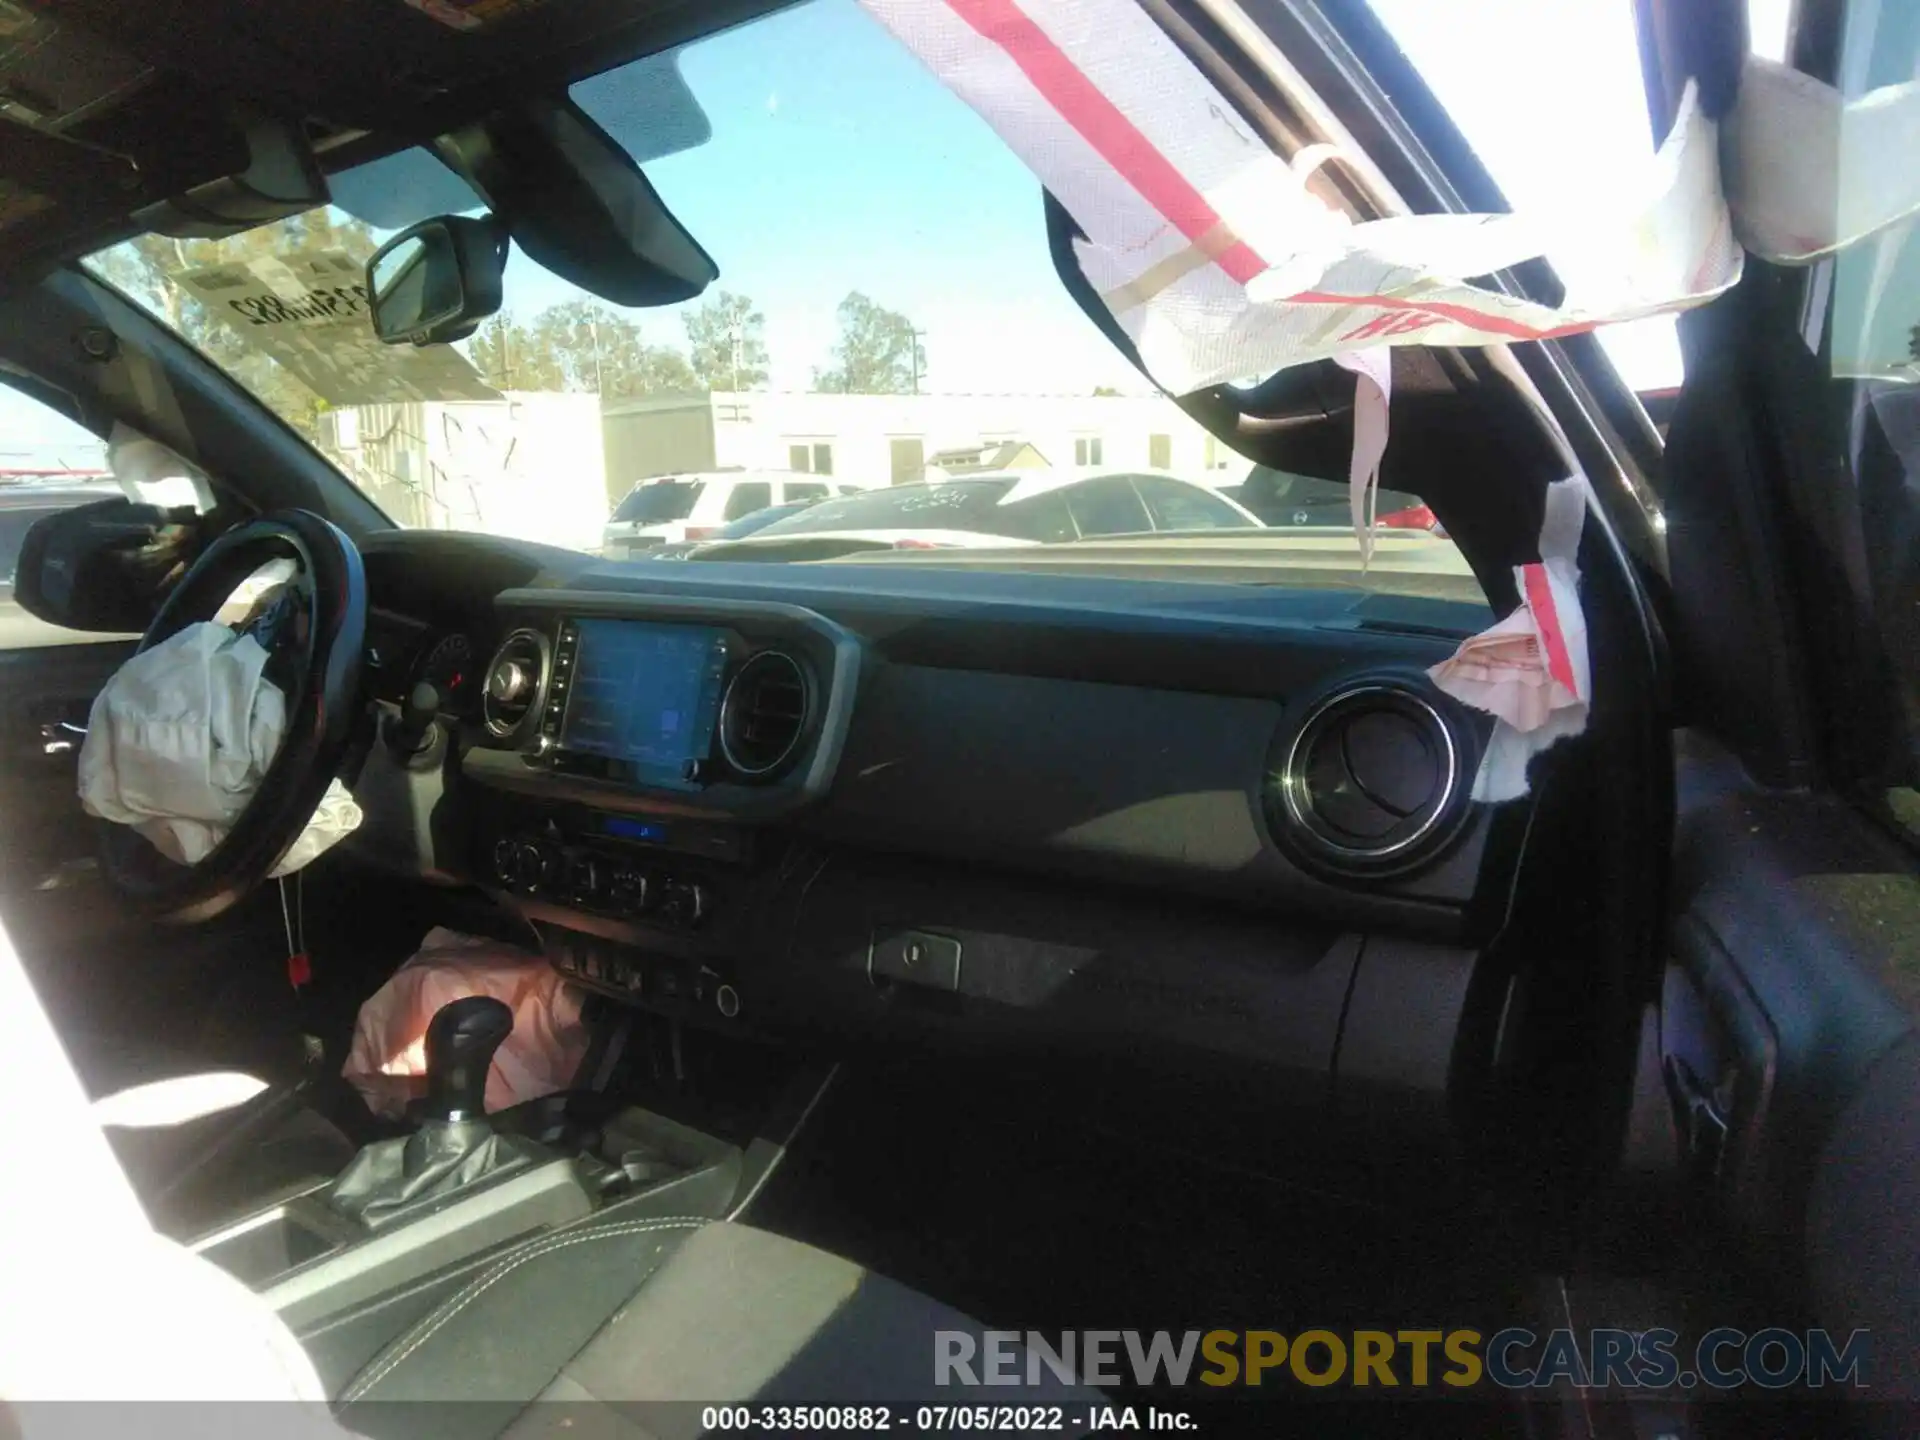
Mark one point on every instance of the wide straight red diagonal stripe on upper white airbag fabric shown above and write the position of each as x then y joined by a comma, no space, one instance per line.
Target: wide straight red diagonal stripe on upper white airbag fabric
1103,126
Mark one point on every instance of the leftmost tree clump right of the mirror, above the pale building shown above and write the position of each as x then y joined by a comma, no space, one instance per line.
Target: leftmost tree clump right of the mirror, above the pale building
581,347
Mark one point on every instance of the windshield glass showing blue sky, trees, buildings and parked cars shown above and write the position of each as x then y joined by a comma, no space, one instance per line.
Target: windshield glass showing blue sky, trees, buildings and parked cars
886,316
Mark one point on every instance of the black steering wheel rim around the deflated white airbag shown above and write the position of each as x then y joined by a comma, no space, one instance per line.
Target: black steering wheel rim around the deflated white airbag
316,636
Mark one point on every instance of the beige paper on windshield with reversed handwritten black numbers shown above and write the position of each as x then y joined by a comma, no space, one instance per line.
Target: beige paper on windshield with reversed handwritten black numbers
308,314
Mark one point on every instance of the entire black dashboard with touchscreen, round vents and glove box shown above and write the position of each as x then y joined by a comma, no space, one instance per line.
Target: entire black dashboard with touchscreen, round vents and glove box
1212,830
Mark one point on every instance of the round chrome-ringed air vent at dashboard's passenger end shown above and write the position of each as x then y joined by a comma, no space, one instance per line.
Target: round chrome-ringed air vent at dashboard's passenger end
1372,782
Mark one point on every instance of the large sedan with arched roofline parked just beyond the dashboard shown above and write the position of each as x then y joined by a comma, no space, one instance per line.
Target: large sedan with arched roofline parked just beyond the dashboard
1028,508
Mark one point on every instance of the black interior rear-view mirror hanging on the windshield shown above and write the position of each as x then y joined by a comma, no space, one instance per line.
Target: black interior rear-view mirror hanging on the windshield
437,281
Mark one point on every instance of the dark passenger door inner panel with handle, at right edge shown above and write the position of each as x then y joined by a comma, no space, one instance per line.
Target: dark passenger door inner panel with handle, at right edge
1790,946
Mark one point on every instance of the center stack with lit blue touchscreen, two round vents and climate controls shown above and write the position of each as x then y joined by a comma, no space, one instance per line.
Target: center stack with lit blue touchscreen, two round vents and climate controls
631,756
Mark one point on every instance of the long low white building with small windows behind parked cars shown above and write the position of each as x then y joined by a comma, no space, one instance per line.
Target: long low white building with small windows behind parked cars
876,441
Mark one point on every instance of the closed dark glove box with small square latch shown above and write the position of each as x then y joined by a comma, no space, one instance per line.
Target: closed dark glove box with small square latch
1130,986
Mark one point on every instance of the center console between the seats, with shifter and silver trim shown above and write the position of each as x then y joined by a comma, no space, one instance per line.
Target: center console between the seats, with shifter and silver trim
350,1262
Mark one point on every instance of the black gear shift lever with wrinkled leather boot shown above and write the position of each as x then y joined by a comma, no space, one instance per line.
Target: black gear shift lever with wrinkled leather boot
456,1145
